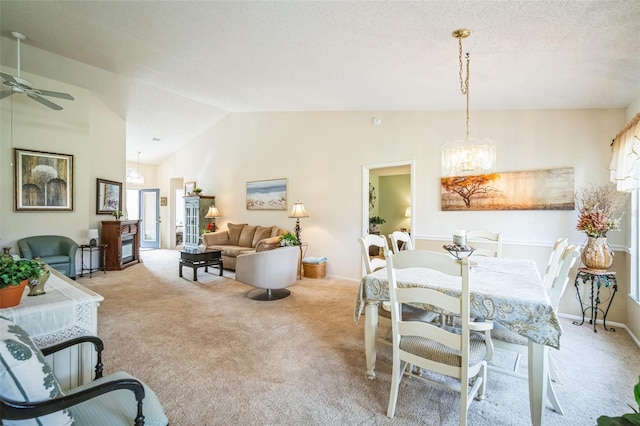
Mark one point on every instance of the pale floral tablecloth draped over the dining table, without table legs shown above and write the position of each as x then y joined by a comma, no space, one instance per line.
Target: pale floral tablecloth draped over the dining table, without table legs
508,291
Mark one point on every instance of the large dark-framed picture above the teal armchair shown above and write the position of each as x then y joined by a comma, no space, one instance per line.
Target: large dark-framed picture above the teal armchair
43,181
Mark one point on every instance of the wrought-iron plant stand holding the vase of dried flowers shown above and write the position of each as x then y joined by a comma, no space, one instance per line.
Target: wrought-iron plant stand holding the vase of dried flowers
596,279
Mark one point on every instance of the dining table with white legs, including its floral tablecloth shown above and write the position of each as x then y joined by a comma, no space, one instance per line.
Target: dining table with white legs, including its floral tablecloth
508,291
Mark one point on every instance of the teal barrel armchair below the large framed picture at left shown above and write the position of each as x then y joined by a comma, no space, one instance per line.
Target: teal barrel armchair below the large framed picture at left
56,251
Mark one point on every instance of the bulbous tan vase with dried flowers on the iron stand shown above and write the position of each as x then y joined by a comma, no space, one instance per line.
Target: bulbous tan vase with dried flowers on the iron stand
600,209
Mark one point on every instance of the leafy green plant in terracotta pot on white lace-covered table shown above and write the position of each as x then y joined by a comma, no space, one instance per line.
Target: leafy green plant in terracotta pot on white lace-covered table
15,273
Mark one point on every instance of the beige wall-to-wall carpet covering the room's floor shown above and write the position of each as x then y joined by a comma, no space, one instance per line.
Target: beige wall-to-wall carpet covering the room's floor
215,357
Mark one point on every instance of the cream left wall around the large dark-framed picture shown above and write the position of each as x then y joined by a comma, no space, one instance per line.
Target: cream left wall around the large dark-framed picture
86,129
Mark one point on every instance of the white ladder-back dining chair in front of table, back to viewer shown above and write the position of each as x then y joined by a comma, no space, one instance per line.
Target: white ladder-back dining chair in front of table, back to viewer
458,353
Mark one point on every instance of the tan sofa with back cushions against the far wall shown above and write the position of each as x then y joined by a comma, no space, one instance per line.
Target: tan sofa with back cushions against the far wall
242,238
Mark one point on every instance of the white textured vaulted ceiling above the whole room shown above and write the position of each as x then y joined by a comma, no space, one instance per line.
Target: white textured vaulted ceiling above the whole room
173,68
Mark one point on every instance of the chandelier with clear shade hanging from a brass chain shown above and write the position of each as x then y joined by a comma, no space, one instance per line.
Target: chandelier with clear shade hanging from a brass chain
470,156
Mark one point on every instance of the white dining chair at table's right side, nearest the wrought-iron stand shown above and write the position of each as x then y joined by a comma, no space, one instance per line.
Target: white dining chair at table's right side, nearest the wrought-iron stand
505,339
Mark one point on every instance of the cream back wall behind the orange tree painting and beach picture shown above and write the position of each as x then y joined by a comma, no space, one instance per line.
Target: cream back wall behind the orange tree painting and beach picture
321,155
